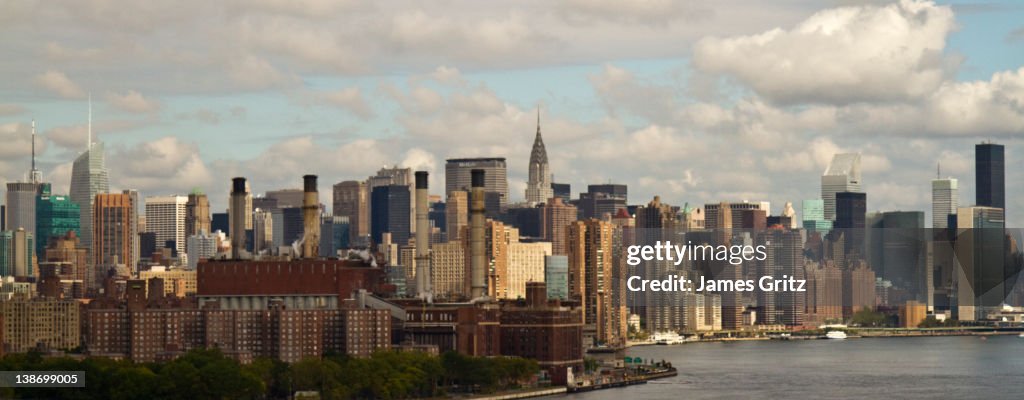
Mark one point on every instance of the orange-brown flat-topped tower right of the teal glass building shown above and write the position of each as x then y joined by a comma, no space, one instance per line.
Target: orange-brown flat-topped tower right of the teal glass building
115,228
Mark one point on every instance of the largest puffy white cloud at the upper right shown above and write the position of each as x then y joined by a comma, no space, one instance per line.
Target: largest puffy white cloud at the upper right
841,56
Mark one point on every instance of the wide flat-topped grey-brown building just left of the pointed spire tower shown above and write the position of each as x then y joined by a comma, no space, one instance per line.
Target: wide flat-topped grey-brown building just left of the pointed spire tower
457,177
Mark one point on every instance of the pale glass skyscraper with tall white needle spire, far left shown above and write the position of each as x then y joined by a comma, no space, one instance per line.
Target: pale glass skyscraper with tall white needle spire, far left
89,179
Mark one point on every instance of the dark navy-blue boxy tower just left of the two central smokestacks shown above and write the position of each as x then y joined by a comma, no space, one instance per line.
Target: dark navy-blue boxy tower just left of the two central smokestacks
390,213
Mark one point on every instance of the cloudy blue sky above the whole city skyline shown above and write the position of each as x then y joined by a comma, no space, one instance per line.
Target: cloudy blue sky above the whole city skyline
695,101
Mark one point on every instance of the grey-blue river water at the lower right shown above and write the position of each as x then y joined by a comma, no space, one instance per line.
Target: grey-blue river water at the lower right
941,368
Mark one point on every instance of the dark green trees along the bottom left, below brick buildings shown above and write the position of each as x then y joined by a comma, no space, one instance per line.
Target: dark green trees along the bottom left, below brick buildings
204,374
